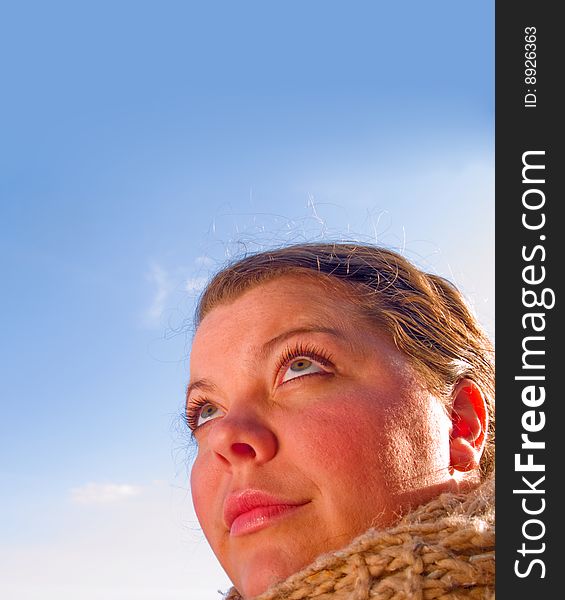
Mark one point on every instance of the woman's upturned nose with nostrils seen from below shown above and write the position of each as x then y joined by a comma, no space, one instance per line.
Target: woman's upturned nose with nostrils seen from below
242,439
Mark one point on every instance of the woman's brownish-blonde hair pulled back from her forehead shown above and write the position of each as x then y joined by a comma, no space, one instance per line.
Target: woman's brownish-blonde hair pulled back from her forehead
425,315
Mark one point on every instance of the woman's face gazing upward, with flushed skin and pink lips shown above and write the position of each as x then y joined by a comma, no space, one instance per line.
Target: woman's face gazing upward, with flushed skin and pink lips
311,427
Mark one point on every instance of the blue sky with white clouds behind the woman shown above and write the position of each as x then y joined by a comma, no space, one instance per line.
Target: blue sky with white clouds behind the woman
142,144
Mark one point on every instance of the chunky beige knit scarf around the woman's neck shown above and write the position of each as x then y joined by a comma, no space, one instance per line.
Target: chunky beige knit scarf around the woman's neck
443,550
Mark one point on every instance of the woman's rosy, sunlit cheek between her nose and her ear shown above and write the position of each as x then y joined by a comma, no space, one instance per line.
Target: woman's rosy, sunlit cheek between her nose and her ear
392,442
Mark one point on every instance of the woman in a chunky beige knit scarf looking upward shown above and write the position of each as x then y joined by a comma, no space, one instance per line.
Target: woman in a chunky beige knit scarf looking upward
342,403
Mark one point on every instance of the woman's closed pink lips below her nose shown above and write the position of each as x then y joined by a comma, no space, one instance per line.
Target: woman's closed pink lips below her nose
251,510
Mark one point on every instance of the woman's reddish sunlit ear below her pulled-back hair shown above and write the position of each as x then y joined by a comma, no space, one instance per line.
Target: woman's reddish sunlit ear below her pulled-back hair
469,423
